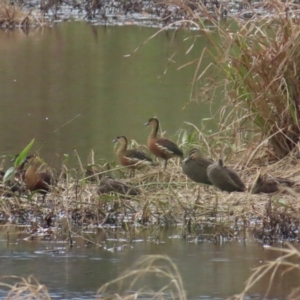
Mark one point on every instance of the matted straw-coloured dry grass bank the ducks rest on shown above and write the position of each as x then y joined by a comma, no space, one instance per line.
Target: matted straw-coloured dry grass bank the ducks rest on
167,198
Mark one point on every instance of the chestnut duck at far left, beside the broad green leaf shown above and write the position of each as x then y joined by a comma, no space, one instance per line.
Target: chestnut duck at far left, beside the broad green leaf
38,176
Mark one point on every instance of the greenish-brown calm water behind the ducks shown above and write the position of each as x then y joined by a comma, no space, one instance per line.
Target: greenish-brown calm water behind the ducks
71,87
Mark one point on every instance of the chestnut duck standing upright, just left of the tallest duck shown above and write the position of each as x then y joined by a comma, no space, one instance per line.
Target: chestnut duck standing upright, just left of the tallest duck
131,158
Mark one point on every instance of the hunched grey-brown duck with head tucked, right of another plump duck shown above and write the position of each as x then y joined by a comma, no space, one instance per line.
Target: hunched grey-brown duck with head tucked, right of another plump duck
224,178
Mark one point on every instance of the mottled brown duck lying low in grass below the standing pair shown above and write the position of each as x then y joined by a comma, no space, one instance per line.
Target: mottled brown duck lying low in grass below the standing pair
109,185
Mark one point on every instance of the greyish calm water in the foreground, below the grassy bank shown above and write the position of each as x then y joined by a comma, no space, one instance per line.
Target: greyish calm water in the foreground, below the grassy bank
209,271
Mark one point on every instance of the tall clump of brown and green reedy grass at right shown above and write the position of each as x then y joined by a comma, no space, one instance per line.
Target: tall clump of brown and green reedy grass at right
255,64
